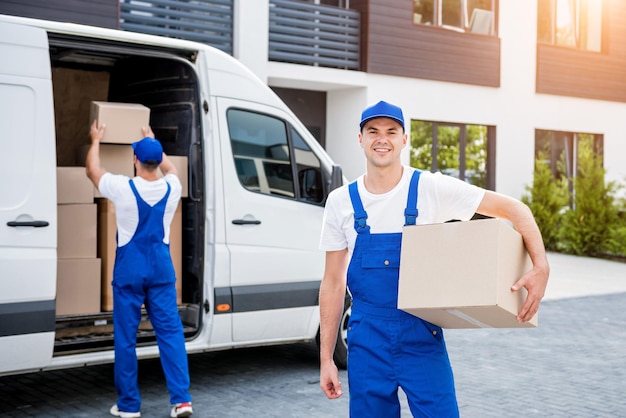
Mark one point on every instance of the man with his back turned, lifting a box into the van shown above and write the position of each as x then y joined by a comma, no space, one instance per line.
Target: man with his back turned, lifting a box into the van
143,272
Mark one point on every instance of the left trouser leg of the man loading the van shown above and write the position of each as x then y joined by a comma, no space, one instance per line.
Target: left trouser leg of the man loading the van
126,317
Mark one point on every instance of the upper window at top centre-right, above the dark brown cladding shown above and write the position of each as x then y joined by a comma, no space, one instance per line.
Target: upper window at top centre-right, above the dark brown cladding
475,16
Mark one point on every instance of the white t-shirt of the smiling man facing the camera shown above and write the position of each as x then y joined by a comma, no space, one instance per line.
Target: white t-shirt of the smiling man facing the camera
440,198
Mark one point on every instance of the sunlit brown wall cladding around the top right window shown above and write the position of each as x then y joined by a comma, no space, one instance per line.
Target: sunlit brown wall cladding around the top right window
593,75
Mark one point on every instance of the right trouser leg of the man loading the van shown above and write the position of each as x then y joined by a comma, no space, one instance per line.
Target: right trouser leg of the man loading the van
163,314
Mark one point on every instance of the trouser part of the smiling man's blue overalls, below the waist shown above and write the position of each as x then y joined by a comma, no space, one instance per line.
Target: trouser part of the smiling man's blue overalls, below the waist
400,351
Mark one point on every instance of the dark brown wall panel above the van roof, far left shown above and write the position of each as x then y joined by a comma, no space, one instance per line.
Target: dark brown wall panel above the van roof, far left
103,13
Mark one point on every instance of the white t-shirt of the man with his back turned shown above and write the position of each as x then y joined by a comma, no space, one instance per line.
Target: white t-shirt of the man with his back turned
115,187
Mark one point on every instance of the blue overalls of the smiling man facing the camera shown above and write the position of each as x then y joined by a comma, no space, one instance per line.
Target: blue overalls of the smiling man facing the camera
389,348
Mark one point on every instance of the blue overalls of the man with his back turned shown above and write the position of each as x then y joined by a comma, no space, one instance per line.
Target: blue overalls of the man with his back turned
144,274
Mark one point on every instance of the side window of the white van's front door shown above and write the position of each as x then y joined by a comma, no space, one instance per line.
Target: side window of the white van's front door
272,158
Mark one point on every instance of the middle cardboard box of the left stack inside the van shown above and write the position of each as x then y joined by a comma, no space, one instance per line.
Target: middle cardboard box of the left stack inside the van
77,231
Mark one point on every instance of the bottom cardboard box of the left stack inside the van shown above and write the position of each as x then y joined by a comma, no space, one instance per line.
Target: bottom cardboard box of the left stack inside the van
78,286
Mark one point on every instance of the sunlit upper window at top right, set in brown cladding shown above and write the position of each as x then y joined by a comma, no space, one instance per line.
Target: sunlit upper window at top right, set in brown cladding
570,23
